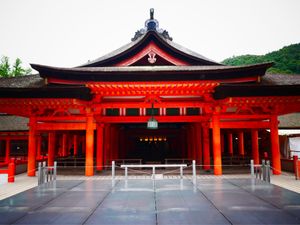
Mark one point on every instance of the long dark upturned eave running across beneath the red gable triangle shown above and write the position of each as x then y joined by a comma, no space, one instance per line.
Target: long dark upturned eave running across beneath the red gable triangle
152,73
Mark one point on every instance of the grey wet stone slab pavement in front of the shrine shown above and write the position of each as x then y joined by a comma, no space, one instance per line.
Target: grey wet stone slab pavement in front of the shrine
173,201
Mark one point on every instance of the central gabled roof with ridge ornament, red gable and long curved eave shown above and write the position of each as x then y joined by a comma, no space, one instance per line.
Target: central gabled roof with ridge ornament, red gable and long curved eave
151,56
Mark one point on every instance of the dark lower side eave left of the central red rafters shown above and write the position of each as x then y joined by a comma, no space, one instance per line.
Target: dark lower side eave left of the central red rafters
76,92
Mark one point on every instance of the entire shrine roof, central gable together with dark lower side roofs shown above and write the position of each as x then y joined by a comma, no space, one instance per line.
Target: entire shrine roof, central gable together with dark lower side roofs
124,65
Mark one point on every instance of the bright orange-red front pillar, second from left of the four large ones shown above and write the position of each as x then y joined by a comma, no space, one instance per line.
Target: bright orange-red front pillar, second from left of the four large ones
89,152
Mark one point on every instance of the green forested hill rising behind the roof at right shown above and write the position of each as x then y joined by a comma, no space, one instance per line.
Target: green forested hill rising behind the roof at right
286,60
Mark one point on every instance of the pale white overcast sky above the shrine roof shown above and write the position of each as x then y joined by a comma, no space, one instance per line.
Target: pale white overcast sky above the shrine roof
69,32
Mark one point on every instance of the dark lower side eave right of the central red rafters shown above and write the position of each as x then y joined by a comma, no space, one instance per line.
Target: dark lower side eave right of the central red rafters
255,90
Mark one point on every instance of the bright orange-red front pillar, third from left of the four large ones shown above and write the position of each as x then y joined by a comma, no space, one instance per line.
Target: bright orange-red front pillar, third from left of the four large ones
217,144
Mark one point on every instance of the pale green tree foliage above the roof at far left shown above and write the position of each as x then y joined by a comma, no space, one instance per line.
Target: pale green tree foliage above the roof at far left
8,70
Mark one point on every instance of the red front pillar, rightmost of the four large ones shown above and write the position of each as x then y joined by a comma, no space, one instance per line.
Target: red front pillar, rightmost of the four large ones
275,145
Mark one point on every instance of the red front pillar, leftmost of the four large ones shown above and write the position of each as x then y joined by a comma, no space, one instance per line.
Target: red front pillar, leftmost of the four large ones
31,148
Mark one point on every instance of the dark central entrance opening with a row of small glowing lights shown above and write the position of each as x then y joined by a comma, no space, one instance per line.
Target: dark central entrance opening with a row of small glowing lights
155,146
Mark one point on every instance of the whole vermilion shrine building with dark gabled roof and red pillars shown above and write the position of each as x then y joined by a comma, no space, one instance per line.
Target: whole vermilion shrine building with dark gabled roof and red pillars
150,99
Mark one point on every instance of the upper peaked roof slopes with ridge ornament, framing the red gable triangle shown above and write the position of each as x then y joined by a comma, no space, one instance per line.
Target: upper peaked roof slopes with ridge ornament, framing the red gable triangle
151,33
